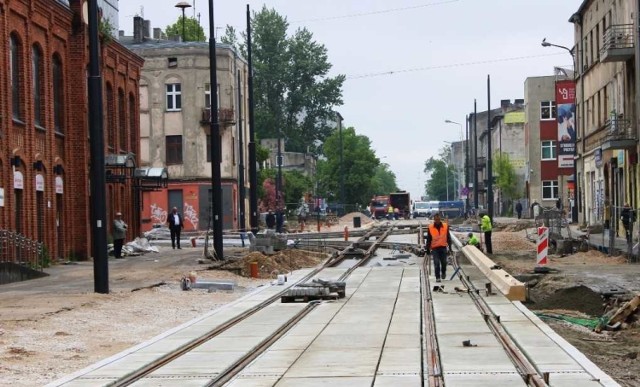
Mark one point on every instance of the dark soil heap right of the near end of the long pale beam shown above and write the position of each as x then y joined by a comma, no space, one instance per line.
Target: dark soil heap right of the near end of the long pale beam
578,298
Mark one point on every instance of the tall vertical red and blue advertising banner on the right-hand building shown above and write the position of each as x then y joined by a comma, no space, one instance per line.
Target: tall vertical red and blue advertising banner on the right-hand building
566,108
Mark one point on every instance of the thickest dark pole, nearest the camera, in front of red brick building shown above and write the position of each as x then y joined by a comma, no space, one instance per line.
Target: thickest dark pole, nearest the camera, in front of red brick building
96,145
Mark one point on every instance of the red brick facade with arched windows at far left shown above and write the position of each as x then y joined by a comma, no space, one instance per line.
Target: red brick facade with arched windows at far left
56,150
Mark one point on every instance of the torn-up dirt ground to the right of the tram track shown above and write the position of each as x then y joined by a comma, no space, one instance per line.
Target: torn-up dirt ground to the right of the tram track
574,287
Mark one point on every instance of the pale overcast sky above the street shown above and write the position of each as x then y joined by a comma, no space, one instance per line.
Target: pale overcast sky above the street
410,64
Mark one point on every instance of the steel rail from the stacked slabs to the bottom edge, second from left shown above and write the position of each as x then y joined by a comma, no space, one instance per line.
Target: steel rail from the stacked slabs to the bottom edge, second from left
235,368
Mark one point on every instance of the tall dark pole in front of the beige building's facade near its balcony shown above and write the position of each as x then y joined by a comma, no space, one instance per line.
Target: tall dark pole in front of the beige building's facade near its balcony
216,148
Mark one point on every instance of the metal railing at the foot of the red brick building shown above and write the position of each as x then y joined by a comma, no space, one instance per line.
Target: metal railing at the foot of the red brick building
17,248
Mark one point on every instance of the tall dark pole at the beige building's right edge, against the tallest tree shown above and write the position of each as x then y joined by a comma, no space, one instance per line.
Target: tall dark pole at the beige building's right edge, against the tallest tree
253,163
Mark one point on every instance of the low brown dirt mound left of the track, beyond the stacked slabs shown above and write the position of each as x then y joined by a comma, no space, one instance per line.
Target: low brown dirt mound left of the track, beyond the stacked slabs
271,265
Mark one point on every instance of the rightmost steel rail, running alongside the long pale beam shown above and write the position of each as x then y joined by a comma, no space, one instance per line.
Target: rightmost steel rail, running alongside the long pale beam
525,368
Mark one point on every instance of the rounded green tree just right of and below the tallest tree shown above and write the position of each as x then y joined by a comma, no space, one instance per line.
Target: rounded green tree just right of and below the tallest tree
359,168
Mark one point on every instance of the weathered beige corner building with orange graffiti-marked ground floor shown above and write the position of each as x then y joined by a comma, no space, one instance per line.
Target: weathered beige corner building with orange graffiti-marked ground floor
191,70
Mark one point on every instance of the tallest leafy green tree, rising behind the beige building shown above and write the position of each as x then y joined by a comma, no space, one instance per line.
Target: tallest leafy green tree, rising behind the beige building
294,96
